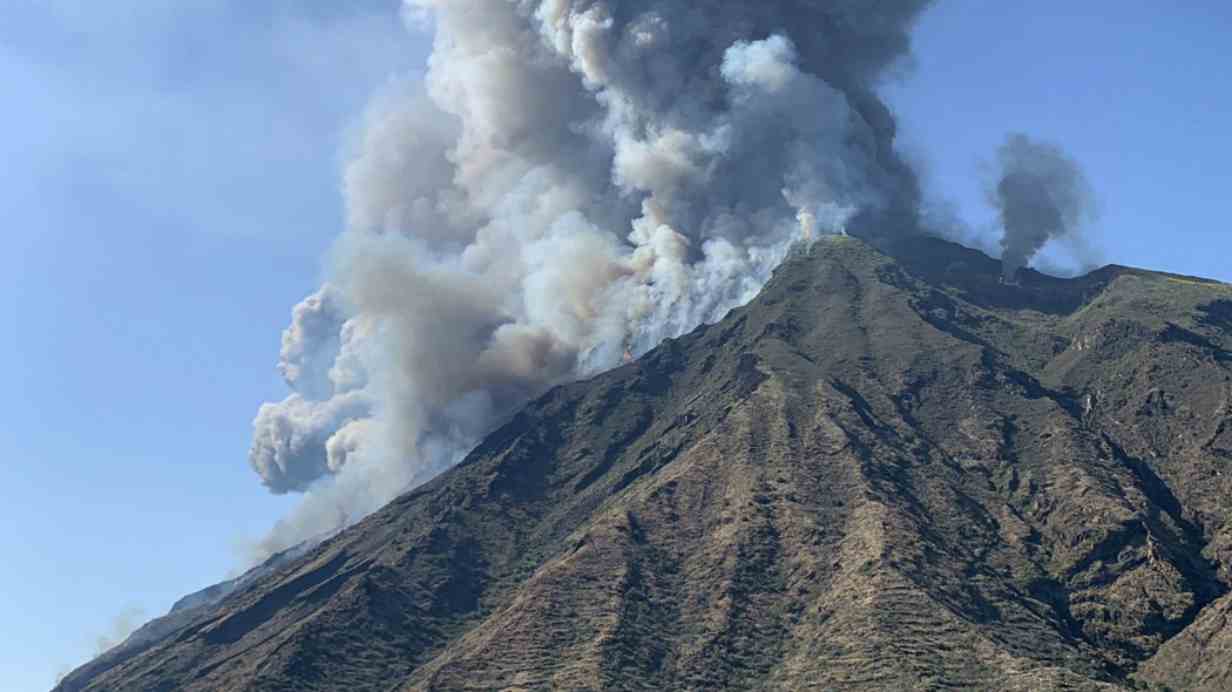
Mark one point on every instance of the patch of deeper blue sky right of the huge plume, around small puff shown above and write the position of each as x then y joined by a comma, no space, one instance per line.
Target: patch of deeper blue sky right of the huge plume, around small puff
1141,98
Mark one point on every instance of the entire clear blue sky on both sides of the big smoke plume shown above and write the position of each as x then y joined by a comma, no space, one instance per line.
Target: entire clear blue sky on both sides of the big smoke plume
171,185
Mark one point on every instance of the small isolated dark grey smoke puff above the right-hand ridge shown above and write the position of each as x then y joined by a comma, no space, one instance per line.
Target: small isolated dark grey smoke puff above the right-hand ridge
1042,195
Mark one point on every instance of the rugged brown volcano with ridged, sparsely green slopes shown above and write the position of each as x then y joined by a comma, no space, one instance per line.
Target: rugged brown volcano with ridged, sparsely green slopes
891,471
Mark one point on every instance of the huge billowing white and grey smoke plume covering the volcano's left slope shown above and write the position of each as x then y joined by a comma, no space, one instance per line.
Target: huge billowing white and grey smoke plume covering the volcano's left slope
573,180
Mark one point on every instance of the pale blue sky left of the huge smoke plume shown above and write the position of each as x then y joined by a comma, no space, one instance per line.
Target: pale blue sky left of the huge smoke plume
169,189
